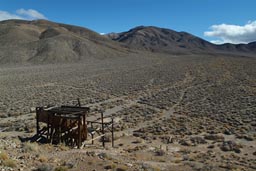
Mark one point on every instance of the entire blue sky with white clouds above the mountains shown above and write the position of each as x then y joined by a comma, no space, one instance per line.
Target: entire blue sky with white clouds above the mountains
218,21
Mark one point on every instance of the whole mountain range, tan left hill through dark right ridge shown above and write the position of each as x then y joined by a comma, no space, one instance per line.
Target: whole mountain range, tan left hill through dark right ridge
42,41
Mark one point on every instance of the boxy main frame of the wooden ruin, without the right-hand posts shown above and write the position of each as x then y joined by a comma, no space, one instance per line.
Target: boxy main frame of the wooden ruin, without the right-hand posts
63,124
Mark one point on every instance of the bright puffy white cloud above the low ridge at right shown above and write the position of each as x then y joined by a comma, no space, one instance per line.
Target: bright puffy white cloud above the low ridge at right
233,33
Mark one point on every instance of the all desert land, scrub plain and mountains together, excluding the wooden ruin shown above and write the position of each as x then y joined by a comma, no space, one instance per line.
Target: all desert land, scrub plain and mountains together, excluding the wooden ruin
178,101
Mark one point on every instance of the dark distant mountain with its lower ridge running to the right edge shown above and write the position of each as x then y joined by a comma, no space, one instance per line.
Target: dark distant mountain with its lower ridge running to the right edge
169,41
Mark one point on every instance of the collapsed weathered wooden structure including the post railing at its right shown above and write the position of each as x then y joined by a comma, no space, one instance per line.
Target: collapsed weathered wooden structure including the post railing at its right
69,125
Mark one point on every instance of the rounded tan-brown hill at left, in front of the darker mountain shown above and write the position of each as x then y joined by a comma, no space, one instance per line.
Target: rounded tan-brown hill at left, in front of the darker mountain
43,41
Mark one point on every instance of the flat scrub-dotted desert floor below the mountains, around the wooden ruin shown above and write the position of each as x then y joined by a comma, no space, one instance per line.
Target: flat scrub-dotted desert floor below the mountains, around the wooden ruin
171,113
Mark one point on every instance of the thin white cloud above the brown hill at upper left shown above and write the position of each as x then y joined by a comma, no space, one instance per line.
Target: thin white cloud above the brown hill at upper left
29,14
